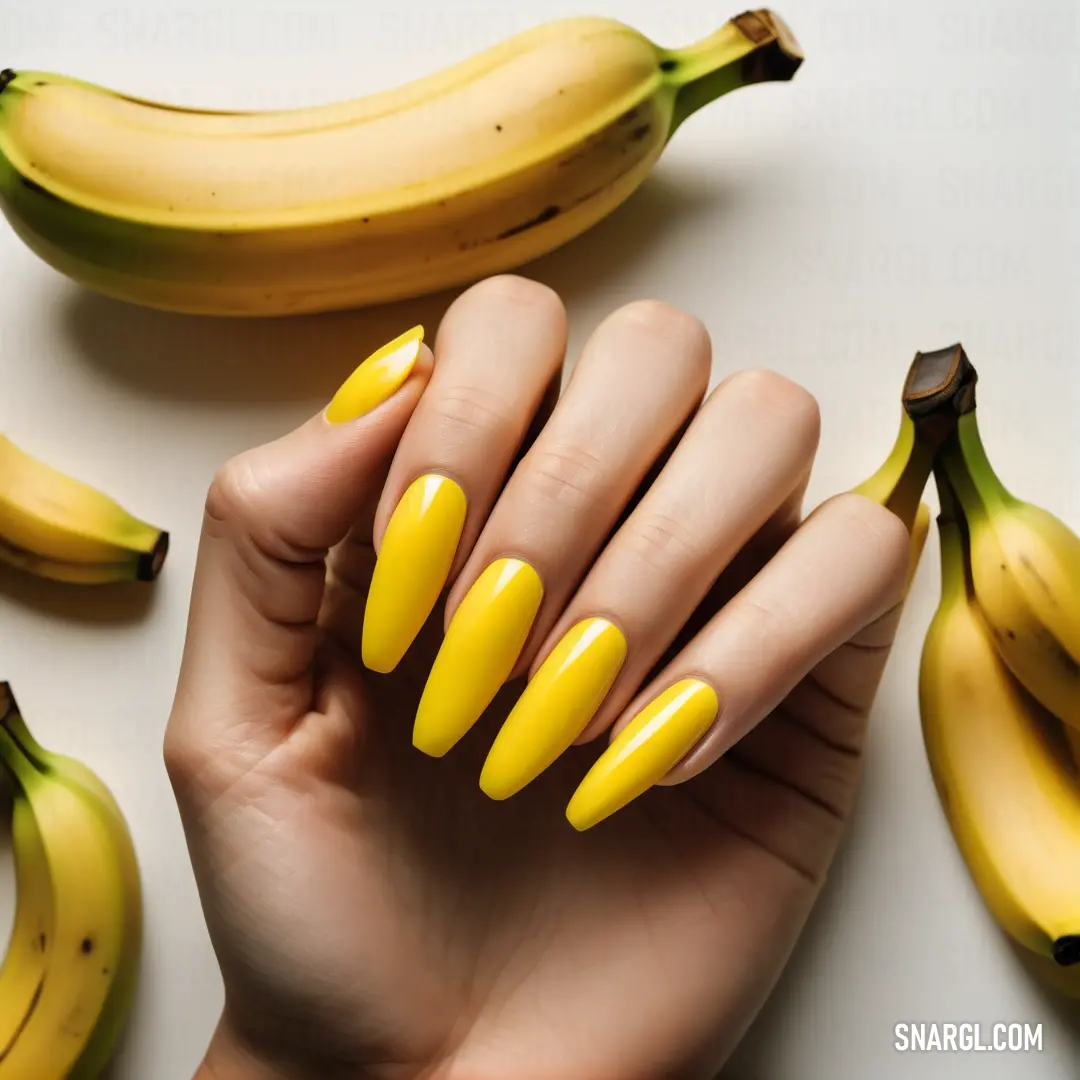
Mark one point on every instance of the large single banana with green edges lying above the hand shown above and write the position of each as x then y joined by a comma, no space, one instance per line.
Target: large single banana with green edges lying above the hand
471,171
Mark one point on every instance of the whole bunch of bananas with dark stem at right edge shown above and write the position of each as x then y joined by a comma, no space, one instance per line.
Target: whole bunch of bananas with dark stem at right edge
1000,681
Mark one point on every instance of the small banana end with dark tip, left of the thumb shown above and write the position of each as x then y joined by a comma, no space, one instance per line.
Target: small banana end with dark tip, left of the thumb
59,528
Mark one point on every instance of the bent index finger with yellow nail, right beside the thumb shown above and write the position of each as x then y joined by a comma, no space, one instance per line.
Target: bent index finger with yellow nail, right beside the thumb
498,350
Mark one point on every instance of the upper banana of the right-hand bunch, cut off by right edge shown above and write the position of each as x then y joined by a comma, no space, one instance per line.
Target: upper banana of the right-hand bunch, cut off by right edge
1027,573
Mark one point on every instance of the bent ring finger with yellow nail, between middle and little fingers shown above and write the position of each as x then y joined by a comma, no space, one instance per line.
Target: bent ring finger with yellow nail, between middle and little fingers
745,457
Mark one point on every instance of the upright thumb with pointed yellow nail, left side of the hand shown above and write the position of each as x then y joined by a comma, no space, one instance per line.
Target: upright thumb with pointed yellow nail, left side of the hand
272,517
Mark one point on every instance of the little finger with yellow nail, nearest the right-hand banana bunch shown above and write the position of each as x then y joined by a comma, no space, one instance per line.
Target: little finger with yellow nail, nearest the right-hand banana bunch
842,571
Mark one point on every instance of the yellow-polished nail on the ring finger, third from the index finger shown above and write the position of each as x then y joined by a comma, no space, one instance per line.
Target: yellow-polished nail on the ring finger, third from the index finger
556,708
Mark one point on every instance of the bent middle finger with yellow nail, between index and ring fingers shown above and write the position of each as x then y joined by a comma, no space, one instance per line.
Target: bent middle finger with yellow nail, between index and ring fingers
643,372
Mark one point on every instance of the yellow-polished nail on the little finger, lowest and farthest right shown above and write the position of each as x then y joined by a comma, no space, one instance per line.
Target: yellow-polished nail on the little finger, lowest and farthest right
654,742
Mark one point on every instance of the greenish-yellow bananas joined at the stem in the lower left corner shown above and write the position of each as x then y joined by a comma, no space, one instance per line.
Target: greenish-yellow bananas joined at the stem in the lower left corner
72,970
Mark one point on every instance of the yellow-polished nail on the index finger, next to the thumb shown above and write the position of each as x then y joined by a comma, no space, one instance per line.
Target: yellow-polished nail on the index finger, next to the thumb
416,556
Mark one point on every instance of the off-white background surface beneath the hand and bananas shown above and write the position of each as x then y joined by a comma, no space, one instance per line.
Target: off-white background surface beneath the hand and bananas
916,185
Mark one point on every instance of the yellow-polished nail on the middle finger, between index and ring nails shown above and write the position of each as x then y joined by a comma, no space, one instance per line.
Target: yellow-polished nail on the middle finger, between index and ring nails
483,643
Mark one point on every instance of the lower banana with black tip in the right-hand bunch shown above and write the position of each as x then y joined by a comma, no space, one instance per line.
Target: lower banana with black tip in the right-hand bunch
1002,771
